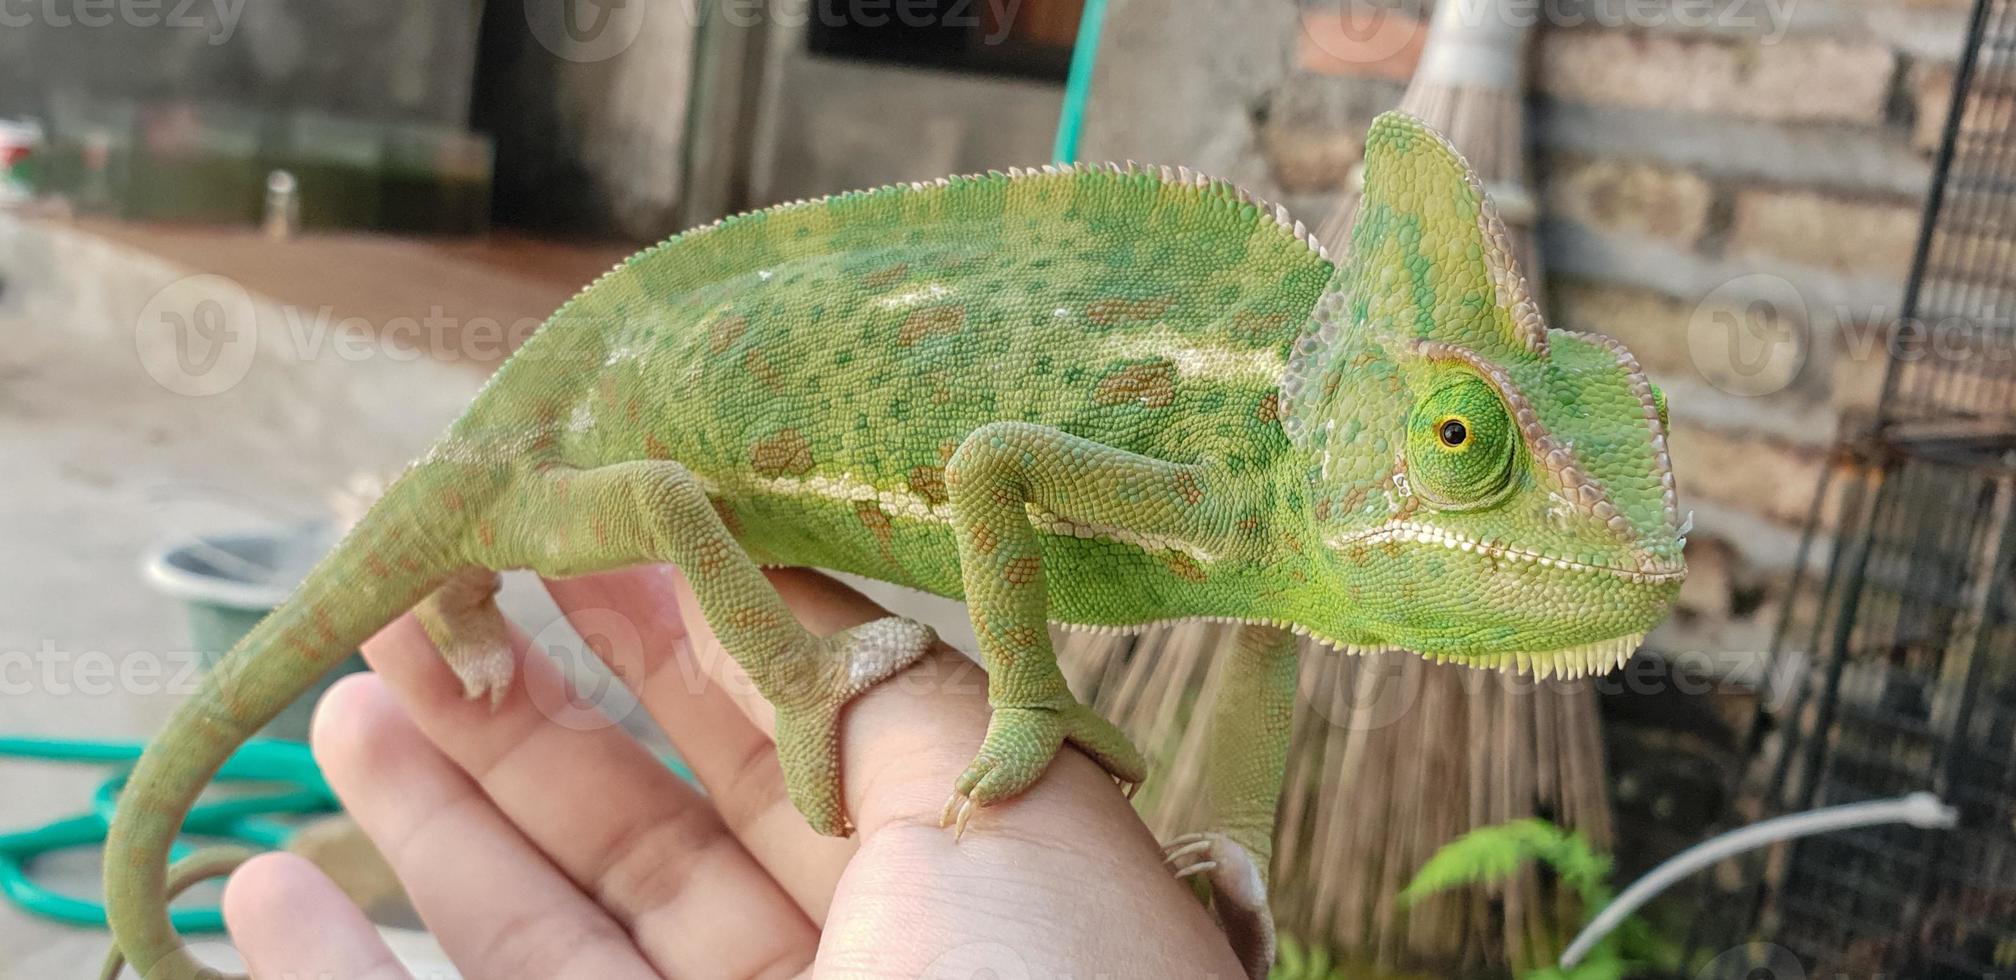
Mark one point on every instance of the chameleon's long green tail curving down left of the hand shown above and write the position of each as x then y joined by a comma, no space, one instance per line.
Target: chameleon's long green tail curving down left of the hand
396,556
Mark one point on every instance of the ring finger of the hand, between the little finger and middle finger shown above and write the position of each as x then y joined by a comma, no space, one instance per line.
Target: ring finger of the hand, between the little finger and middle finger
491,898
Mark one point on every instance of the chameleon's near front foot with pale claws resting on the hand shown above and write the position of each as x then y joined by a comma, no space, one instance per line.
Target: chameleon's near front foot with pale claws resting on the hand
1019,749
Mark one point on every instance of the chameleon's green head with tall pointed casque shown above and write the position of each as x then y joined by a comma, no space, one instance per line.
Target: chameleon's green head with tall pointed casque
1487,489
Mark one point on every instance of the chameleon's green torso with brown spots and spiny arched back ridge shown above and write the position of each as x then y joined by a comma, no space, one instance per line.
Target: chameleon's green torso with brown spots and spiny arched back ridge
820,362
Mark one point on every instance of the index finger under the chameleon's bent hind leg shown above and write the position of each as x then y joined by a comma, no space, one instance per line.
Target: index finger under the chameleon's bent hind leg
729,755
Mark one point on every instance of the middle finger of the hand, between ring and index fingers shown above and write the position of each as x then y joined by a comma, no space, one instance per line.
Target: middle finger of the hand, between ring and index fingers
610,816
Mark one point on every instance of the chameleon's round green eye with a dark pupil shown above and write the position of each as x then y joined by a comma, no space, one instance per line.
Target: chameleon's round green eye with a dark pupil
1461,447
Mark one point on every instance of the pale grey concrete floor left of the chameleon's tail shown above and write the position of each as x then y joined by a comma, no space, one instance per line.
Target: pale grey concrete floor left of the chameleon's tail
100,465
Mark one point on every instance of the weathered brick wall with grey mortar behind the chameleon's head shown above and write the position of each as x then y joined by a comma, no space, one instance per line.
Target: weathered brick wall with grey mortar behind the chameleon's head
1729,187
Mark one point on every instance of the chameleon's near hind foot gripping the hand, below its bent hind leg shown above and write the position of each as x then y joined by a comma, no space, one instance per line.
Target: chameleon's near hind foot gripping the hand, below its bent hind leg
809,709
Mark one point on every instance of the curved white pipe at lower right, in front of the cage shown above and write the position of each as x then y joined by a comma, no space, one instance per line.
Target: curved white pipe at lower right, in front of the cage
1918,810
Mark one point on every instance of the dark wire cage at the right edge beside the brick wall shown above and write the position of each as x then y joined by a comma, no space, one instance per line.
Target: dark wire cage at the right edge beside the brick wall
1896,664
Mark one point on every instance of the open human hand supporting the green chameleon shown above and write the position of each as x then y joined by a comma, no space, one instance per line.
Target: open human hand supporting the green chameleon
543,842
